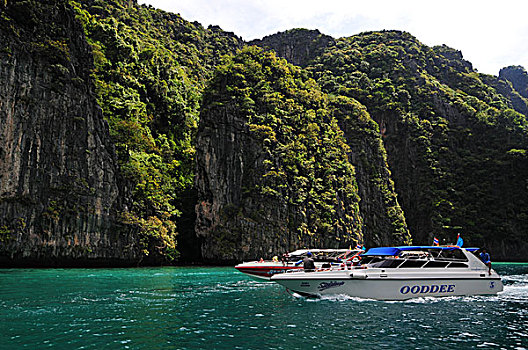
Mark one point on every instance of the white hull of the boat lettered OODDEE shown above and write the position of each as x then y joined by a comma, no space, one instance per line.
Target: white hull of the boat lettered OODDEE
372,284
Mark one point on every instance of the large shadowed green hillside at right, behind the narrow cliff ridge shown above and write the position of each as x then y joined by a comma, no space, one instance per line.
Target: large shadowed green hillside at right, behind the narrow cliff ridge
450,137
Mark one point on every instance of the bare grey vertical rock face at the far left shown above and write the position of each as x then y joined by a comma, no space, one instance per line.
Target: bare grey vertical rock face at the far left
59,192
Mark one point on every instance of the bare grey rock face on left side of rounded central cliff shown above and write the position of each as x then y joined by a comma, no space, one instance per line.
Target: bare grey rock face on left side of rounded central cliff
228,160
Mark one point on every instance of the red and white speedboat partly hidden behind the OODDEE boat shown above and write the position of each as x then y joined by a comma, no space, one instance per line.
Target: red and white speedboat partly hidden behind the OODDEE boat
323,258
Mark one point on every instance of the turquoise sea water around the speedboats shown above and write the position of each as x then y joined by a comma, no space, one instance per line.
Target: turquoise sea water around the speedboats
219,308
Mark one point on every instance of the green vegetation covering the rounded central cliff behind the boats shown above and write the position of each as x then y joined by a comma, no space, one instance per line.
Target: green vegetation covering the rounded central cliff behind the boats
301,153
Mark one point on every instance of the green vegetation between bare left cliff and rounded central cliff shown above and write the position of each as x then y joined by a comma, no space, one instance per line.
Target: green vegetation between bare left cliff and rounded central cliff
150,70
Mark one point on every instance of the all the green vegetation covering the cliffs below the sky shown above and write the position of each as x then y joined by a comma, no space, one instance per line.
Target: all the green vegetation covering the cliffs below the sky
378,137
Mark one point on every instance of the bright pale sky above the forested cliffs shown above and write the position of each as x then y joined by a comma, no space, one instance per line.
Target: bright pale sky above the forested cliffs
490,34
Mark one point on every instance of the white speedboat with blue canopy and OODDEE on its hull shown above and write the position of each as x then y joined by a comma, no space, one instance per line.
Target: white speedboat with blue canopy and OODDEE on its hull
400,273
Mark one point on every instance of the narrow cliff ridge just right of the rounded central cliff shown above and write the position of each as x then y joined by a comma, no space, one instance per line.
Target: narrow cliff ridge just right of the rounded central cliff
383,218
